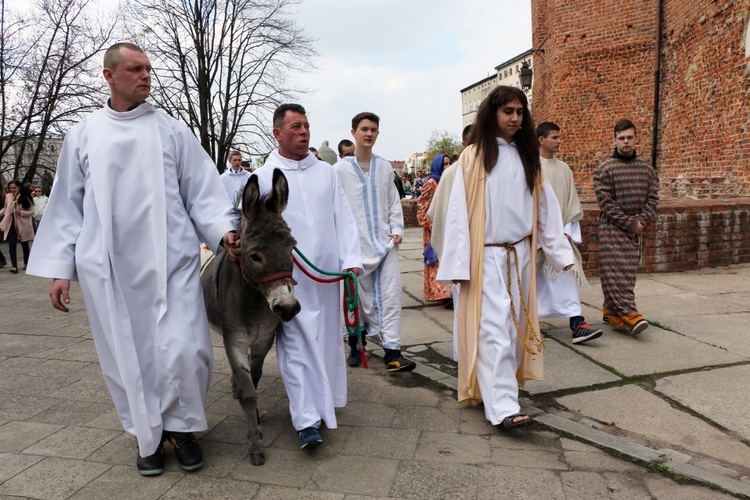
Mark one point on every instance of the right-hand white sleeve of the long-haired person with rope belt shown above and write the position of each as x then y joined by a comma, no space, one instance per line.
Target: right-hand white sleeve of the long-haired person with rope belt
550,229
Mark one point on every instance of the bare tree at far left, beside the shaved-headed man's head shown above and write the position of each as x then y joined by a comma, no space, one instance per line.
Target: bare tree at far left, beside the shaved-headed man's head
55,76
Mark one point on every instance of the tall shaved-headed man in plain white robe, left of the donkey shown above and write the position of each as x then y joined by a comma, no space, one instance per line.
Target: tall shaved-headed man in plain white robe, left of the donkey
133,197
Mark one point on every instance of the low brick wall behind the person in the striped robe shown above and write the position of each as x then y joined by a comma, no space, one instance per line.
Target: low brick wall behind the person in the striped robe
688,234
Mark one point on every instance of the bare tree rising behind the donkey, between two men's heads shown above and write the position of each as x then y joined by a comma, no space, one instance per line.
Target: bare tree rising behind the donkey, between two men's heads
221,65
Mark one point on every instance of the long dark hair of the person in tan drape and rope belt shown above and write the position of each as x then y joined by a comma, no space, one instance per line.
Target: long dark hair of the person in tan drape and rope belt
485,131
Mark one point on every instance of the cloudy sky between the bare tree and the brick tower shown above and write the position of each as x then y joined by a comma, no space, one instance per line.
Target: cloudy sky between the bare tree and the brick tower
404,60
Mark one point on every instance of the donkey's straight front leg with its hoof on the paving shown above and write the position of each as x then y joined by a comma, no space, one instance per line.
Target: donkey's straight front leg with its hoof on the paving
236,344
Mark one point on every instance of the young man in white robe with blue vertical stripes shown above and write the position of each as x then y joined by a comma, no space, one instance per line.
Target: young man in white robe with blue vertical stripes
367,180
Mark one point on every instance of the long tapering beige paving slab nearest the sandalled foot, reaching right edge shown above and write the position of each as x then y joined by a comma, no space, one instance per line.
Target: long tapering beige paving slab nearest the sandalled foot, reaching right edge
636,410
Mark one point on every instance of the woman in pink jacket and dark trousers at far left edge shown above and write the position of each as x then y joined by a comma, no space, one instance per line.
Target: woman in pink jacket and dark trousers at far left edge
17,222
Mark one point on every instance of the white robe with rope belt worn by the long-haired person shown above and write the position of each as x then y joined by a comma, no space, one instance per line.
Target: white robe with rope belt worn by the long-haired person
508,219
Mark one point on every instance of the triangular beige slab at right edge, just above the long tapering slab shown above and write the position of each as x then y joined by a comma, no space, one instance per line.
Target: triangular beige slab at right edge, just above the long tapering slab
728,407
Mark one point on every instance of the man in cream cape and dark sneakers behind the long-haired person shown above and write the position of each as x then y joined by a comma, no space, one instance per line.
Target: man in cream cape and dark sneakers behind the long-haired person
557,293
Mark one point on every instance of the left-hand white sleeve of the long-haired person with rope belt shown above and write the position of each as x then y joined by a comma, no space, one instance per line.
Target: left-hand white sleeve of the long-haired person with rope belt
454,263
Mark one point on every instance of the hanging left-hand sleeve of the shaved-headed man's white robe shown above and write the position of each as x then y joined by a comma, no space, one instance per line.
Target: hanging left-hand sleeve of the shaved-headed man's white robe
53,253
